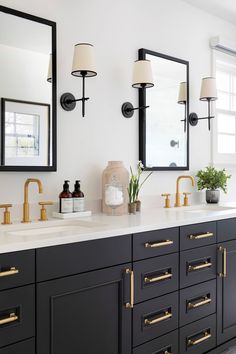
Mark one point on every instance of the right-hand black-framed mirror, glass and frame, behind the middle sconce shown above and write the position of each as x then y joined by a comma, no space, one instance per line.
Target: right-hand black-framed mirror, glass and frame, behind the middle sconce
163,127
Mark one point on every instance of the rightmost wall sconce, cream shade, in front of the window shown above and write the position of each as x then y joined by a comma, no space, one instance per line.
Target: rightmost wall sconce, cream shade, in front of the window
209,94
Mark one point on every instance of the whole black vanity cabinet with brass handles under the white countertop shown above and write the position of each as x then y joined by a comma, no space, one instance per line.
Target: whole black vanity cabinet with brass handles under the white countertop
170,291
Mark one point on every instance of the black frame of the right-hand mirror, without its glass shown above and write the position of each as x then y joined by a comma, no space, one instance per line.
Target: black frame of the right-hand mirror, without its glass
143,114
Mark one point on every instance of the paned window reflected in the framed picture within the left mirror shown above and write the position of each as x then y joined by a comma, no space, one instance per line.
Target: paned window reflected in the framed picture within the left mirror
21,135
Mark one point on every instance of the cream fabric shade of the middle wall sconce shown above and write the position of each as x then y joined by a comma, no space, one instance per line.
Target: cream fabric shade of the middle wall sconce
142,74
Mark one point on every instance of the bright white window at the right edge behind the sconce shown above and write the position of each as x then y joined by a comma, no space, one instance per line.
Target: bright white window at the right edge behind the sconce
224,131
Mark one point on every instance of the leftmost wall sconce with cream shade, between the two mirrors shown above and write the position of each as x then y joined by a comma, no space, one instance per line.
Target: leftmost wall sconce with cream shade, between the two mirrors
83,66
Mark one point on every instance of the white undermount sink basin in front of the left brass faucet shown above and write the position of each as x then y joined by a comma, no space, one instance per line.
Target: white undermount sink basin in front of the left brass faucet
61,227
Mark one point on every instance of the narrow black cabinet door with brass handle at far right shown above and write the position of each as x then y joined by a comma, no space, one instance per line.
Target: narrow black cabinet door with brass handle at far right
226,290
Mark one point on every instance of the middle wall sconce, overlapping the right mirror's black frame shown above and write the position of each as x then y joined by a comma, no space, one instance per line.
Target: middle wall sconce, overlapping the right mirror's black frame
142,79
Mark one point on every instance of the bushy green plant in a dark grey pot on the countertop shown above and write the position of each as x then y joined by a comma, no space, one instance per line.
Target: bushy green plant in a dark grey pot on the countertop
212,180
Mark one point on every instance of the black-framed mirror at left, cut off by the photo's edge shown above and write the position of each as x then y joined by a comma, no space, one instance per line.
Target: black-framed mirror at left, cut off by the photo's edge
27,92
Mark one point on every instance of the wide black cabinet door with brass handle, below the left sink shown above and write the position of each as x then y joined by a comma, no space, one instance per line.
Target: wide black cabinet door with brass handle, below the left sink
85,313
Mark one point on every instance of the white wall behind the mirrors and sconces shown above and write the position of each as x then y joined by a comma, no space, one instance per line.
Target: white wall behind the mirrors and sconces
118,29
